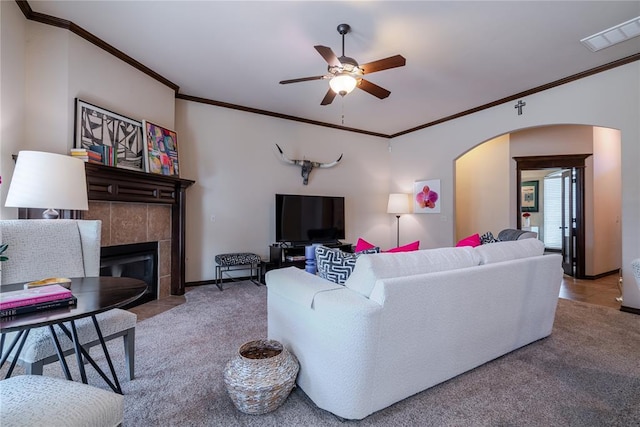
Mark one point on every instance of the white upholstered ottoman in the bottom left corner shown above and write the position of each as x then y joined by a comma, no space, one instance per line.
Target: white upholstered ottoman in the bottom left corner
34,400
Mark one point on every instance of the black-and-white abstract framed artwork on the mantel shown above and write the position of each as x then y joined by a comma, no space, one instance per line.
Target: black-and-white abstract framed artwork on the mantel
116,137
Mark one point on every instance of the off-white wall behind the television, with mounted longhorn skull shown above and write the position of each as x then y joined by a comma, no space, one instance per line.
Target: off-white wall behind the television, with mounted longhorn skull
238,170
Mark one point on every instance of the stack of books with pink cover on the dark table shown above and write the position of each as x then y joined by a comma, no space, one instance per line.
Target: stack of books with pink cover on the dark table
35,299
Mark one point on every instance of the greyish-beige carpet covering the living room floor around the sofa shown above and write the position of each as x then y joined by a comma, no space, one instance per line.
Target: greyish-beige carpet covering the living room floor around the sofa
586,374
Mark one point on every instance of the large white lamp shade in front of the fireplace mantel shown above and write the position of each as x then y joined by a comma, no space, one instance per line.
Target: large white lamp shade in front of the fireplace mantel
47,180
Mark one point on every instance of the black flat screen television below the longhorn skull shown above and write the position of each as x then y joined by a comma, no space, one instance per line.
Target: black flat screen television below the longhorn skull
303,219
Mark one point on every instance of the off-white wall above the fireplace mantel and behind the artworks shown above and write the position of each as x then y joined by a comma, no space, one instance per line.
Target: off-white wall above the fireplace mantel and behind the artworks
59,66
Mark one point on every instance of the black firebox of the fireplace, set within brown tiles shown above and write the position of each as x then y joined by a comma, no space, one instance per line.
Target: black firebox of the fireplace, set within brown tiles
136,260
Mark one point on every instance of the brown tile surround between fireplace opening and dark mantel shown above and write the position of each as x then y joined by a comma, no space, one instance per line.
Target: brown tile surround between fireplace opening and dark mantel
124,223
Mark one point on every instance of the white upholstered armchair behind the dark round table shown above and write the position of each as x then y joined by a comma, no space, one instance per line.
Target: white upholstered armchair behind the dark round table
60,248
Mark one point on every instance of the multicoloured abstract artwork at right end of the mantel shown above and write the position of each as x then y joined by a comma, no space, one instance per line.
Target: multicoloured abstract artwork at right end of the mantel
161,150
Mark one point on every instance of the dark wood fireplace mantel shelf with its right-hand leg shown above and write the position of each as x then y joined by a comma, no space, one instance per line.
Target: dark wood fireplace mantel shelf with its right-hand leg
107,183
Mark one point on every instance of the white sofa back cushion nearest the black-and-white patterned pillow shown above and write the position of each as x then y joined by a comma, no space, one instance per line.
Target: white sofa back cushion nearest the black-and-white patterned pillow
370,268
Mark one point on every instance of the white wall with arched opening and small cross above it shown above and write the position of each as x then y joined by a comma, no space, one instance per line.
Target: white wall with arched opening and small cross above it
610,99
